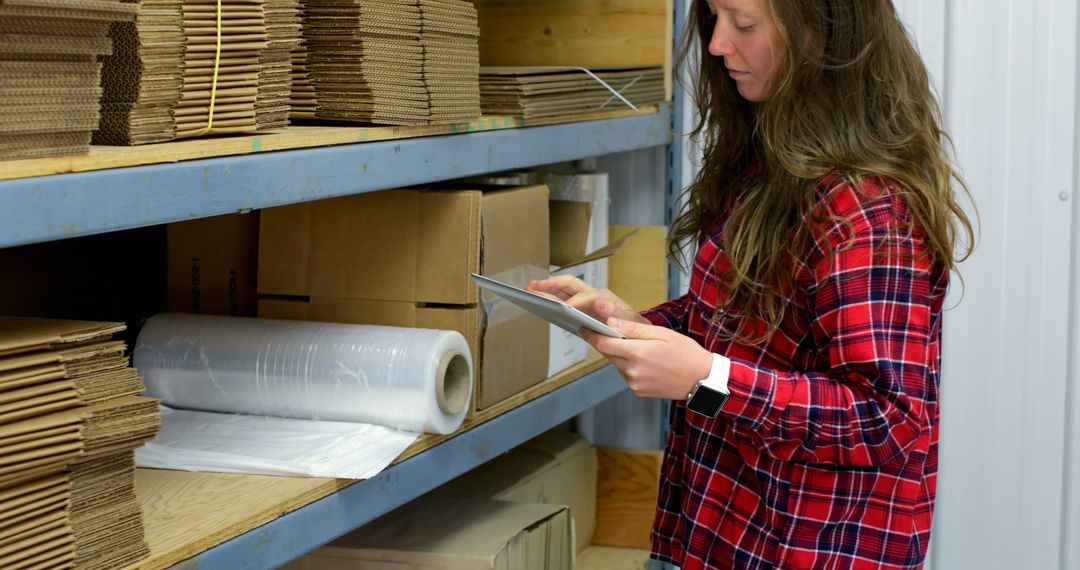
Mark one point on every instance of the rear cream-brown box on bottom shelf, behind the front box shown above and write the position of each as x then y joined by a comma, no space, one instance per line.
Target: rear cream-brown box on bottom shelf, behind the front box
557,468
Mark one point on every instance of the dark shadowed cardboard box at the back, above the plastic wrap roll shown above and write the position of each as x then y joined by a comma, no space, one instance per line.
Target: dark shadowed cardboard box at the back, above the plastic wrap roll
212,265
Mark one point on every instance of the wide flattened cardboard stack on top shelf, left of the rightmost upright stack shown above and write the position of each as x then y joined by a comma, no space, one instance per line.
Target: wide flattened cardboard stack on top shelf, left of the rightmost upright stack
367,61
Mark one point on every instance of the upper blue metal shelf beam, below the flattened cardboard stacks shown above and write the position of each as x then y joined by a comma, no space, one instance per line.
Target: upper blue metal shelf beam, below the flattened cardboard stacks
59,207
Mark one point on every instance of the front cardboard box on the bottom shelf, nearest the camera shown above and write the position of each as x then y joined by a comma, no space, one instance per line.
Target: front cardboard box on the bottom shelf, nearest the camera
454,533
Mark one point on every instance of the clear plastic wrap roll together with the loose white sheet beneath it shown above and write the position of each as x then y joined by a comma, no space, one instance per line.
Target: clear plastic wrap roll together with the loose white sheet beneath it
285,398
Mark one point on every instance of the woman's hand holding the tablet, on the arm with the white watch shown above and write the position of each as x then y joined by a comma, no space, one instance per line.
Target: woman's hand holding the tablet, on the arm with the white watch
656,362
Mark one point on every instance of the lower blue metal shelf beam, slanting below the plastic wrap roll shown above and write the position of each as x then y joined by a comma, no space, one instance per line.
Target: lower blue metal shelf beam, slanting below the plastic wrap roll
301,532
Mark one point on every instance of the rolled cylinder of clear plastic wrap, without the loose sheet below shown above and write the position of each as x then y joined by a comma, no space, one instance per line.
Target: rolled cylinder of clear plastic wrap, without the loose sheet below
409,379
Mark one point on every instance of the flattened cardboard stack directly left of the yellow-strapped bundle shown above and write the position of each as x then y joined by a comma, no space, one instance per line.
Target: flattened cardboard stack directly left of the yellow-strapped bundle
142,79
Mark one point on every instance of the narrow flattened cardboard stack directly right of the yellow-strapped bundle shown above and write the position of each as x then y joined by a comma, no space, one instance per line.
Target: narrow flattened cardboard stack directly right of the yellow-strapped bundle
276,67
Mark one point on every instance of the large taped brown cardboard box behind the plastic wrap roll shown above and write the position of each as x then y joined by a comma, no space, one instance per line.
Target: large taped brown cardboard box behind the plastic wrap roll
403,259
